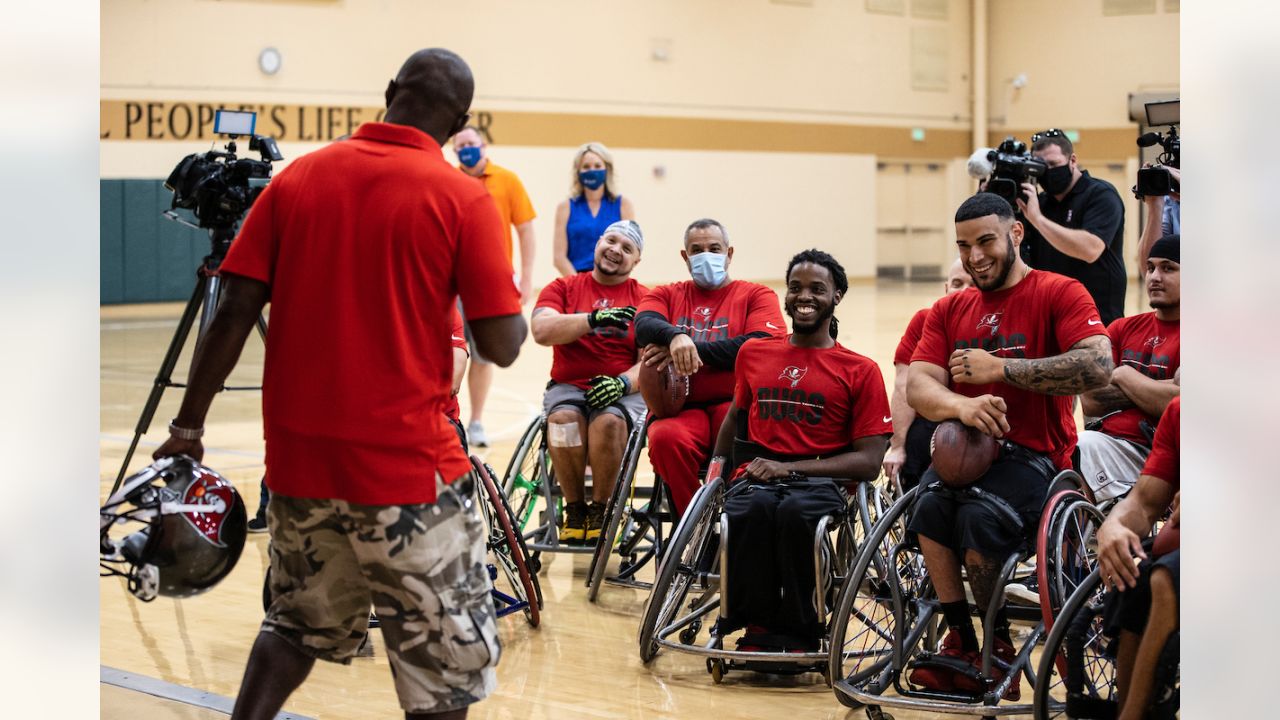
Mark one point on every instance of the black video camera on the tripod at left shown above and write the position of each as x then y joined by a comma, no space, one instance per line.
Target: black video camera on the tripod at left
217,186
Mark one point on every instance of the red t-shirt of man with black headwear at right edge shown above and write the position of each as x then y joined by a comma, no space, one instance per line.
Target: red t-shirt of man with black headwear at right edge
1150,347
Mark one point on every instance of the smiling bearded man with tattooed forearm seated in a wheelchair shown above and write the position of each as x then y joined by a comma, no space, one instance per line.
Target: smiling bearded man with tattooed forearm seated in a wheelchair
1005,361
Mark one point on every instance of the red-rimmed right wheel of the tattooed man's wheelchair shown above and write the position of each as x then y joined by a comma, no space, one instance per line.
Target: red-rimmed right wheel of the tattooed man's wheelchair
1066,549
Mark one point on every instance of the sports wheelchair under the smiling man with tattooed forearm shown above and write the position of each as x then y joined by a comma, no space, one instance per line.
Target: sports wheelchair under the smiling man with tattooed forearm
888,617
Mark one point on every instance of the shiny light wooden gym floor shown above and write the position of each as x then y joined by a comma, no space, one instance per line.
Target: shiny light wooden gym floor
582,662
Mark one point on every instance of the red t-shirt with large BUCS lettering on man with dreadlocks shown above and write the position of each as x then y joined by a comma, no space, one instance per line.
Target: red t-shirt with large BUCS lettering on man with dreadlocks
810,402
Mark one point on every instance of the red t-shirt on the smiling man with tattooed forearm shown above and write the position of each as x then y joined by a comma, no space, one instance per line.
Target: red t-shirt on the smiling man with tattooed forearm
1043,316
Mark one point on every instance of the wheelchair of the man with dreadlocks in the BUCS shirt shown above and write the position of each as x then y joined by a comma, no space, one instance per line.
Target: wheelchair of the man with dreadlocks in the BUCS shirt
693,578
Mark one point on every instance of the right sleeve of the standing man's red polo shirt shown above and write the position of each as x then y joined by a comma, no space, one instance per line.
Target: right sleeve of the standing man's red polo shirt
482,267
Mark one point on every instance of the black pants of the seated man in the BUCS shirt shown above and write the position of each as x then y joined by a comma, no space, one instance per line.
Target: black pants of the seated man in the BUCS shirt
771,535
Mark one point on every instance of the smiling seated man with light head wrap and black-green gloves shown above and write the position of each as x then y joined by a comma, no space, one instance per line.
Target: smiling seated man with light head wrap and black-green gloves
595,393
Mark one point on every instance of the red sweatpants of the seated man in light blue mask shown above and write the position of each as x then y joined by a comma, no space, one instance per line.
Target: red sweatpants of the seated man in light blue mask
679,446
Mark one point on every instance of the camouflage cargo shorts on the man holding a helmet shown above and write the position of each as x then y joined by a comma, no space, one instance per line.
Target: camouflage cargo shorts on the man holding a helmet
423,571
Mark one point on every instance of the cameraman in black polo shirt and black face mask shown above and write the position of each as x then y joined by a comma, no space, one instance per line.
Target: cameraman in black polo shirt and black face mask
1076,227
